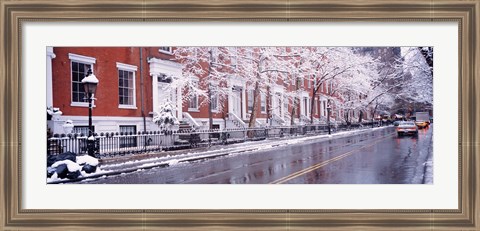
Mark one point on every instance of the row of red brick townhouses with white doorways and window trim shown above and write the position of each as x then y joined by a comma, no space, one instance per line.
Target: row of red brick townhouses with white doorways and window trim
135,81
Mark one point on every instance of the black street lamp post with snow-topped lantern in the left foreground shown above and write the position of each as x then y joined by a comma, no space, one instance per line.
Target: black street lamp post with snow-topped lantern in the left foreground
90,83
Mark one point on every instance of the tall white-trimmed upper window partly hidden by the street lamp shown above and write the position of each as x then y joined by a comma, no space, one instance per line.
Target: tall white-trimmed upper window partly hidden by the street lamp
79,67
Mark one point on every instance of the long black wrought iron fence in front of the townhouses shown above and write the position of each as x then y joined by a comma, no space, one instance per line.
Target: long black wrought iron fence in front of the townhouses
125,143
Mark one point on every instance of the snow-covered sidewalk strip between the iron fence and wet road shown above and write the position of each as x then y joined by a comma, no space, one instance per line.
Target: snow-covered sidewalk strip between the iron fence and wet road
136,162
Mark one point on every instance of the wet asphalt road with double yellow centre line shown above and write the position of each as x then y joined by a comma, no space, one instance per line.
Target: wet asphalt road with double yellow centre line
375,157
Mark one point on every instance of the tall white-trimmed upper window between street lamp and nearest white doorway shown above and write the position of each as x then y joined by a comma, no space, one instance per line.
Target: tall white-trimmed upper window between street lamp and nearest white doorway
126,86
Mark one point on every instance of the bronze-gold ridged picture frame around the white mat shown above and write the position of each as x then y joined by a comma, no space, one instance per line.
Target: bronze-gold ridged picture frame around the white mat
14,13
